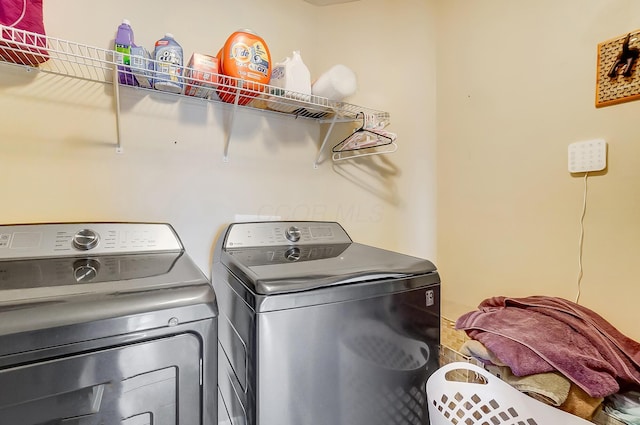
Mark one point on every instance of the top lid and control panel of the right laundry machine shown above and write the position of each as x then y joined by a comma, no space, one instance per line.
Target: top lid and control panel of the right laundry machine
322,256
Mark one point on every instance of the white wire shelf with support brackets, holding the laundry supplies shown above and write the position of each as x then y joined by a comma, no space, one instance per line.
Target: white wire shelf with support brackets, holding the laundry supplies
80,61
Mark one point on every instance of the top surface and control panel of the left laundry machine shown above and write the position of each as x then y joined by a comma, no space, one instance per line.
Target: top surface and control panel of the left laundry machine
59,274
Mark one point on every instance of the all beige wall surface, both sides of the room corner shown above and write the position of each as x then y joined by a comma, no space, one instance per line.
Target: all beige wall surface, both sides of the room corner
515,86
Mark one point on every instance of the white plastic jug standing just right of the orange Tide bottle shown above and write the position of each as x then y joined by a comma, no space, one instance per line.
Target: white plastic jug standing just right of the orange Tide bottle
293,79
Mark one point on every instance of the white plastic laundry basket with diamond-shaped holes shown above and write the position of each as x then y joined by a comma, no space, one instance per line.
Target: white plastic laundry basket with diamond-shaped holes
491,402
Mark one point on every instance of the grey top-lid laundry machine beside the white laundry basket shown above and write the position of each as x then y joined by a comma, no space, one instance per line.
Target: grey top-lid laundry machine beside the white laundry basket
315,329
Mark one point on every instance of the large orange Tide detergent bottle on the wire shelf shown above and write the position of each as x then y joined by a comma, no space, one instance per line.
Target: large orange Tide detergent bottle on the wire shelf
245,56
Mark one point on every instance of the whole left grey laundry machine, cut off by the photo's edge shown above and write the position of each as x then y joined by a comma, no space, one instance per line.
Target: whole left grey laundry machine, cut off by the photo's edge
104,323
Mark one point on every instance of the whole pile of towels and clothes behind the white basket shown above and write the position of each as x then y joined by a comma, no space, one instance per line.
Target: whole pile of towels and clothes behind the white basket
558,352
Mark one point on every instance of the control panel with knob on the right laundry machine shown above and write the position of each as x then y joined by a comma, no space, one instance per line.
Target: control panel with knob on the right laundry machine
275,233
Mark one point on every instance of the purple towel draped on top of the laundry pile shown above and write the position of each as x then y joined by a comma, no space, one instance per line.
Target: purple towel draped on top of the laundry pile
541,334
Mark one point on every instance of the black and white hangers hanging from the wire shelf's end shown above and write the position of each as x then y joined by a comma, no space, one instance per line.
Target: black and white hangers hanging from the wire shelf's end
365,141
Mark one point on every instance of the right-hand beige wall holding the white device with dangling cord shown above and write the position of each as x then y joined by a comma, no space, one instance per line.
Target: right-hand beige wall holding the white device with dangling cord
516,86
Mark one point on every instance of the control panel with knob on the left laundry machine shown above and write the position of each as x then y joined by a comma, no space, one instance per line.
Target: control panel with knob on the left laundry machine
74,239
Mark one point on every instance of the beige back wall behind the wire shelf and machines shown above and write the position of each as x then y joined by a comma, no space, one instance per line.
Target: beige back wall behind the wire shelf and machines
57,137
